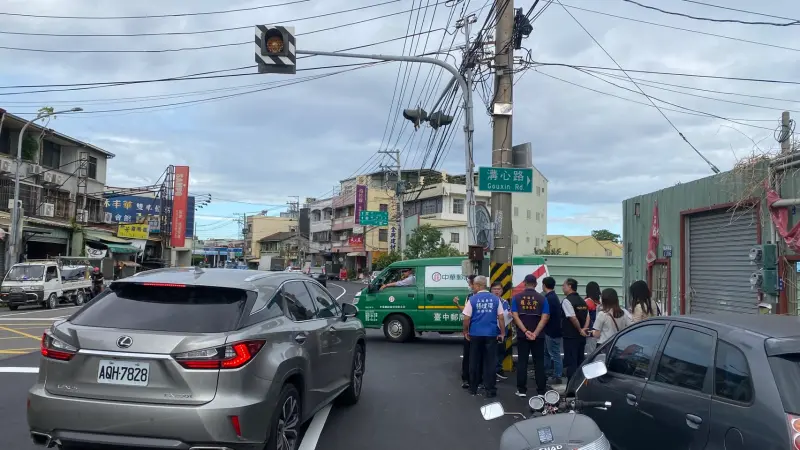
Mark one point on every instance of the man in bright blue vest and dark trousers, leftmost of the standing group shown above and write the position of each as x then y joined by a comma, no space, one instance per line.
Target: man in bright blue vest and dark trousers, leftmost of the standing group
484,327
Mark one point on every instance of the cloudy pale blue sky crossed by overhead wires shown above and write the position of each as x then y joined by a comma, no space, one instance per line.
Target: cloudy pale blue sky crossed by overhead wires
253,141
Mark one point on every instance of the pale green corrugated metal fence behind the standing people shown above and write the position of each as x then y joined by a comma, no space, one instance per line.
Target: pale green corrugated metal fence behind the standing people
604,270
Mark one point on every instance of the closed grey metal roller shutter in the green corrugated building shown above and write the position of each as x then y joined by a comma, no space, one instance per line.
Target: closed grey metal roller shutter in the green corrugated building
718,276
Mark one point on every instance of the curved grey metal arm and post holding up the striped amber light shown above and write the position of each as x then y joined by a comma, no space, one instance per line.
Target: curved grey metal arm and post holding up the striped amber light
468,125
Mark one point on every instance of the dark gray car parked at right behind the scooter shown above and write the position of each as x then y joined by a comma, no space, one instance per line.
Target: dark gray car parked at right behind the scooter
706,381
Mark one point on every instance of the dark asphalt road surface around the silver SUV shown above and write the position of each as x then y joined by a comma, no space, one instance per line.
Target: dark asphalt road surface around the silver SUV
412,396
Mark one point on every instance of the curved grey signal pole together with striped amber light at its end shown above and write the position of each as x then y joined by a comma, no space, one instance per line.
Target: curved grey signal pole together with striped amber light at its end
276,52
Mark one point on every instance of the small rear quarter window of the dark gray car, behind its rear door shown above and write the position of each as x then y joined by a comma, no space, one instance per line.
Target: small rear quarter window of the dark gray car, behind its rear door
732,378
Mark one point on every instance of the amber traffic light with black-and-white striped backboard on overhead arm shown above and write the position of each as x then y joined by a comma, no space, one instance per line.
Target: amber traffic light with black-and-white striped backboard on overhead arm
275,49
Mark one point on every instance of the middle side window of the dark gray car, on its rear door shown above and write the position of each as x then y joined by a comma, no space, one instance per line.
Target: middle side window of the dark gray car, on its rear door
686,359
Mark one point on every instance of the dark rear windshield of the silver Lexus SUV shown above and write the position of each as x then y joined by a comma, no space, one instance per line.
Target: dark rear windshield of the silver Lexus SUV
190,309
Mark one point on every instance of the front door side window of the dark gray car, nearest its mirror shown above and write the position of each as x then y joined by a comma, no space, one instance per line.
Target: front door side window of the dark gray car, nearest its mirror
633,350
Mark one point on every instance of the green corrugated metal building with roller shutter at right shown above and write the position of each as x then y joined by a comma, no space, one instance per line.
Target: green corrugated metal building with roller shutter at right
707,229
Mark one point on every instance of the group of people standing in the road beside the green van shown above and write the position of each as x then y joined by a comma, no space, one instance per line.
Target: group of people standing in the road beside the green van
545,326
